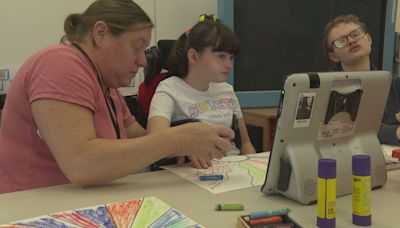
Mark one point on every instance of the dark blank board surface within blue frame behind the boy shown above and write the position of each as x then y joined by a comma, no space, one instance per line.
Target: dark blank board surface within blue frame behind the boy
280,37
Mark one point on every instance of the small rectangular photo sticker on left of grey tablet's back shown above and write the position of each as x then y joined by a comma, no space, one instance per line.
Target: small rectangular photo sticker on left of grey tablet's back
304,110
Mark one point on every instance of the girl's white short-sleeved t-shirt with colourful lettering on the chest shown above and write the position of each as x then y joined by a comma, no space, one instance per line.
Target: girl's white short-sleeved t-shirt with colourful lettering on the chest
175,100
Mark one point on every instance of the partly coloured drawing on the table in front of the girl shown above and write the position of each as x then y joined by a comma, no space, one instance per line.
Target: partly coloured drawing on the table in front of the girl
242,171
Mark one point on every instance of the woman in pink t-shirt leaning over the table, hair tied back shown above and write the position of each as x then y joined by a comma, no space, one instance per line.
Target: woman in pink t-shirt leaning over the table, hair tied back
64,120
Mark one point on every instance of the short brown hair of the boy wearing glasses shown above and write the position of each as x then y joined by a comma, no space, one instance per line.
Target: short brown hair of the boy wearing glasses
349,18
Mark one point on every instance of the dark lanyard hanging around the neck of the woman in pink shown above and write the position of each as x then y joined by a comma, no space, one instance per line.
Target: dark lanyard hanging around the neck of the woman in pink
114,110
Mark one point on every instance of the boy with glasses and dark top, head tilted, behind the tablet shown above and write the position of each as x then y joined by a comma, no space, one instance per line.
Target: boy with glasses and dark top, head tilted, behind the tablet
347,43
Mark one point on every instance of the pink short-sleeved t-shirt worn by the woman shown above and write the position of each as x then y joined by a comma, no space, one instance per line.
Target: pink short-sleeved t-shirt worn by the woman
59,72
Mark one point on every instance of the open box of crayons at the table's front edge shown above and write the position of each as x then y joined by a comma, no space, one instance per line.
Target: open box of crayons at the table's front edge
267,220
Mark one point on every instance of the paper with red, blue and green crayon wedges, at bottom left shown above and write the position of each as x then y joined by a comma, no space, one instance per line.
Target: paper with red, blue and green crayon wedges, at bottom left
145,212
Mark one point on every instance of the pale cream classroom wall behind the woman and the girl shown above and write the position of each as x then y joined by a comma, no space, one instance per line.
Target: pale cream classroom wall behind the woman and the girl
27,26
